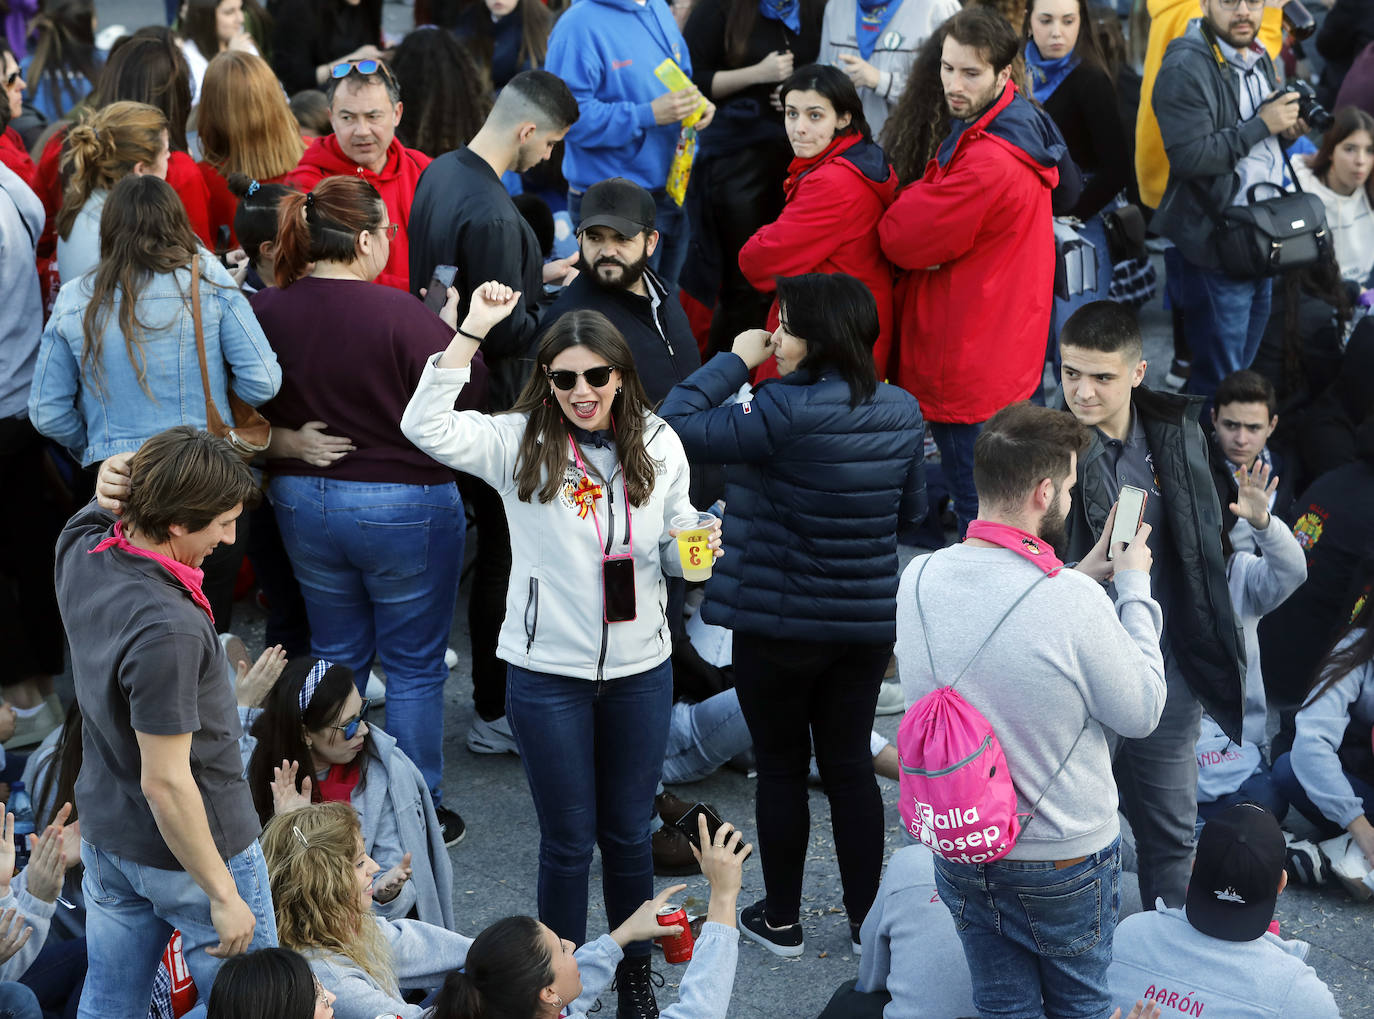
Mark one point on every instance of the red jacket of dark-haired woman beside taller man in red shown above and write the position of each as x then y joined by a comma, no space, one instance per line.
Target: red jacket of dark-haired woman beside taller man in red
835,203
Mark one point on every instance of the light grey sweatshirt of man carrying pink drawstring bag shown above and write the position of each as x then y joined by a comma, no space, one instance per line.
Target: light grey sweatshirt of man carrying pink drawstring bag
1064,657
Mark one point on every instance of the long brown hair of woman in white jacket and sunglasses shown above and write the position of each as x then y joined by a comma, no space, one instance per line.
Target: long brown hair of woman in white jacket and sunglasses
543,450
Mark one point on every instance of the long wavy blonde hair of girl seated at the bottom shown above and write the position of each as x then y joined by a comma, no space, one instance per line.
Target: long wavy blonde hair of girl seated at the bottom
310,860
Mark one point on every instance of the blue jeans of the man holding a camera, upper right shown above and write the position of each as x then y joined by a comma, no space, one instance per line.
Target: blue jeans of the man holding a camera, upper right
1224,322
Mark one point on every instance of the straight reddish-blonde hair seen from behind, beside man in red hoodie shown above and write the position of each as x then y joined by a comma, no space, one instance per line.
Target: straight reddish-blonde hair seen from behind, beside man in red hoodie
245,123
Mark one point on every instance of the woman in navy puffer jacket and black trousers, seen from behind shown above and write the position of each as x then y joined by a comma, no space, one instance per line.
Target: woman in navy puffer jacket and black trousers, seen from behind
822,466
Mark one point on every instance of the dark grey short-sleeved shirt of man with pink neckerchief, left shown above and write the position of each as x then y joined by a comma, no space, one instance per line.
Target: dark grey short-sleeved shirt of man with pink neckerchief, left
146,659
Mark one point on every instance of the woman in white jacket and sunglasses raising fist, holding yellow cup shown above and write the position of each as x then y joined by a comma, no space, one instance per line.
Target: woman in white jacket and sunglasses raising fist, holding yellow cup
590,480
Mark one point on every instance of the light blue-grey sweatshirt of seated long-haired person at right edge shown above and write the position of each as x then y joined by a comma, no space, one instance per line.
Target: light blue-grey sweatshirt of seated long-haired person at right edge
1321,726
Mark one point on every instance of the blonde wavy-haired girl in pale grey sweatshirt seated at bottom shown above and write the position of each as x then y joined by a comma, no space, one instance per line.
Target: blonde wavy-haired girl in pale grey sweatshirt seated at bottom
322,888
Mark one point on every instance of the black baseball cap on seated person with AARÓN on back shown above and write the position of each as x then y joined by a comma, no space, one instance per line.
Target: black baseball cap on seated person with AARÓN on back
1236,878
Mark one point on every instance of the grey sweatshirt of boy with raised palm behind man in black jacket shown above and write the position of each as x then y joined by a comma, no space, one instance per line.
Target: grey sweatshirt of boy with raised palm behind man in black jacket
1259,584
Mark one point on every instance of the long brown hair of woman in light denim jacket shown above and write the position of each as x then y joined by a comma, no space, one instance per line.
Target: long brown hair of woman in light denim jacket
145,233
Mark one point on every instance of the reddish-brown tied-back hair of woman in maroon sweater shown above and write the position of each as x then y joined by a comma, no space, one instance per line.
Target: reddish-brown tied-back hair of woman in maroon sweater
324,226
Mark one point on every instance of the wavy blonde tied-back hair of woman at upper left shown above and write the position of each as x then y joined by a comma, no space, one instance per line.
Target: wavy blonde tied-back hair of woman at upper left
104,148
